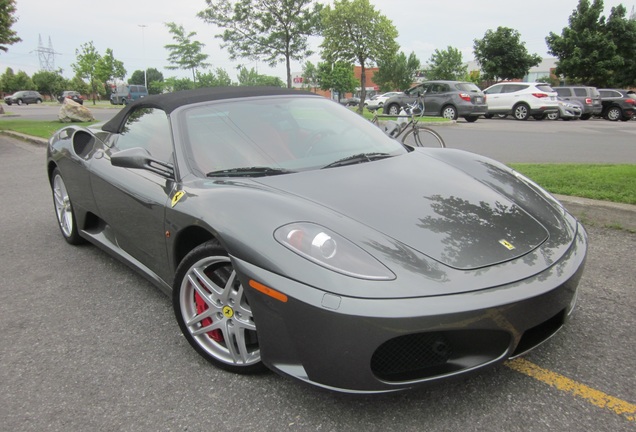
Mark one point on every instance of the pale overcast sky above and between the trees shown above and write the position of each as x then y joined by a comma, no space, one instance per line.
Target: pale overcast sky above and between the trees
136,32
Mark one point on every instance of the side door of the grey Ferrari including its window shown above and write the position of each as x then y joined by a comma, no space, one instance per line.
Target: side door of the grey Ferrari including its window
132,201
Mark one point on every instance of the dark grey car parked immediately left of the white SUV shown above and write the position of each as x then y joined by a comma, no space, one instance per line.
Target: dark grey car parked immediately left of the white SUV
449,99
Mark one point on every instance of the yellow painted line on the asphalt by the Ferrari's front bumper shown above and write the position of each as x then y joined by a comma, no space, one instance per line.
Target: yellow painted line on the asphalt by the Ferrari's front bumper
560,382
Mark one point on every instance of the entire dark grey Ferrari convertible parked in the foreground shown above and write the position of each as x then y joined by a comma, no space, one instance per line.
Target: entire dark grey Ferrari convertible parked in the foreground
293,234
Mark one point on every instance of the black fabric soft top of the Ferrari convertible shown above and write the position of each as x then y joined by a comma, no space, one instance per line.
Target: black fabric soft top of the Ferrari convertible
168,102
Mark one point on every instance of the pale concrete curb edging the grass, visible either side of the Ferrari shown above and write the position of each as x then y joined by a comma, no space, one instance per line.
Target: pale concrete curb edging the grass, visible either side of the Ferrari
588,211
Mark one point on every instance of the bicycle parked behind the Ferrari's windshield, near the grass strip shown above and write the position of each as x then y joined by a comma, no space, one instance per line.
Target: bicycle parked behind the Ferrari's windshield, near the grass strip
409,129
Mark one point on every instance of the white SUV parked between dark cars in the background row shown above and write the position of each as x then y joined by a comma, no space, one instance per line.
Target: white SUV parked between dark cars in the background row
522,100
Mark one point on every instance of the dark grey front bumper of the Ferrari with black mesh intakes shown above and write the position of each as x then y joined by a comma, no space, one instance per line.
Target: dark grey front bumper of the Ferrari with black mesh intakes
362,345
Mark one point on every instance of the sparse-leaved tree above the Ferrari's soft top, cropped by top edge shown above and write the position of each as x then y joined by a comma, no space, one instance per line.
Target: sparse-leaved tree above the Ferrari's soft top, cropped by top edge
274,31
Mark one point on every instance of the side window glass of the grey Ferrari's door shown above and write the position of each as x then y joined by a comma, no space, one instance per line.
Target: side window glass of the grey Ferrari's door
149,129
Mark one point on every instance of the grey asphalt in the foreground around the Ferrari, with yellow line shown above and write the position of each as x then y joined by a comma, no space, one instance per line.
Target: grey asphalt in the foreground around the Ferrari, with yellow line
88,345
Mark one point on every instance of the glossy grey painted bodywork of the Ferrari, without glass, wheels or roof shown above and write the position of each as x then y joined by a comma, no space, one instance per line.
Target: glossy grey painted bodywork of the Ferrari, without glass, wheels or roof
427,215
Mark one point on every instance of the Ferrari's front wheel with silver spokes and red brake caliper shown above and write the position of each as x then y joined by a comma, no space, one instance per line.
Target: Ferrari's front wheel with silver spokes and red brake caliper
213,311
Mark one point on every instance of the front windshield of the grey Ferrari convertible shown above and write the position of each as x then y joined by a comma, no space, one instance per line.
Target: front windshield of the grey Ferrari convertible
278,135
